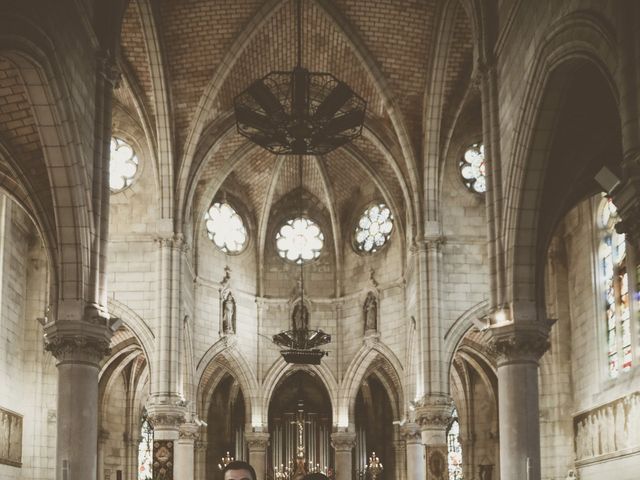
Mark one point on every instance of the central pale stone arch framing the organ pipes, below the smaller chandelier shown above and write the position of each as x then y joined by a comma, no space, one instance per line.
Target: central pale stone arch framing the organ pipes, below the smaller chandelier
280,369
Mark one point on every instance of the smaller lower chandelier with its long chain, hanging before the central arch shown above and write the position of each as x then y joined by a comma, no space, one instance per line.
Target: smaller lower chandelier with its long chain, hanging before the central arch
300,344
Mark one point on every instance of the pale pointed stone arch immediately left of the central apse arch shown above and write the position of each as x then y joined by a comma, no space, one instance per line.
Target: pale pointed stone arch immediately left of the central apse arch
224,356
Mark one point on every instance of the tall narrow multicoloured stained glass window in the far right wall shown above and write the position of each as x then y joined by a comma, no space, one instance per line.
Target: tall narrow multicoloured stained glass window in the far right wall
615,284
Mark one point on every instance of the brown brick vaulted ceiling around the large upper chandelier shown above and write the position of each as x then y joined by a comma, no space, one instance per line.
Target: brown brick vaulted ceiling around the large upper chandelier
196,35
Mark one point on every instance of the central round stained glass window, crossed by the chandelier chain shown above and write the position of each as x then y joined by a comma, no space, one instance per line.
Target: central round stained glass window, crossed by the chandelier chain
299,240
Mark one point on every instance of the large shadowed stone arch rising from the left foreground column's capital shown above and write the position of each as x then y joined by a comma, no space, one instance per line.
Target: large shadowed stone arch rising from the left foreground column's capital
33,55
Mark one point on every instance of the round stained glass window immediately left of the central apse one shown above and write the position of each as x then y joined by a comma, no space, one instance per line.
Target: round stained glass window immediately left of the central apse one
225,228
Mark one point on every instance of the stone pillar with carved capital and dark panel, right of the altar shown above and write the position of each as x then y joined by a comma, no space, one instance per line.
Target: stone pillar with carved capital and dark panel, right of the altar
434,415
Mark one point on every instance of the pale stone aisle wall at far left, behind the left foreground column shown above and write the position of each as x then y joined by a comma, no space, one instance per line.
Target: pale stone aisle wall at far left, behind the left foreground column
27,374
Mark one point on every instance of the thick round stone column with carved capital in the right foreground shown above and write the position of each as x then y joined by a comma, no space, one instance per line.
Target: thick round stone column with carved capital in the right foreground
518,348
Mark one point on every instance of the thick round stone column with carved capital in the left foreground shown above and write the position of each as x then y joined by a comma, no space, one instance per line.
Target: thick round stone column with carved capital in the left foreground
78,347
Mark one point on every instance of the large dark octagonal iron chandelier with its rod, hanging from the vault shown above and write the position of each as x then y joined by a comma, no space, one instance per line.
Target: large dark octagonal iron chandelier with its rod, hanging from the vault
299,112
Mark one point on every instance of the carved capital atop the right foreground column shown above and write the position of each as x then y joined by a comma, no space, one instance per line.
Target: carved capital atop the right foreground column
519,341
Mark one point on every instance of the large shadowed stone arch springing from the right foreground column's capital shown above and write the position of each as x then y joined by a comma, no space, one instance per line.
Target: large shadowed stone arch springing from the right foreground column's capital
578,39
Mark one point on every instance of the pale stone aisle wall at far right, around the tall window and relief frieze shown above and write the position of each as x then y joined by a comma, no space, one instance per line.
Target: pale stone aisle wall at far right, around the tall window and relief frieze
607,404
